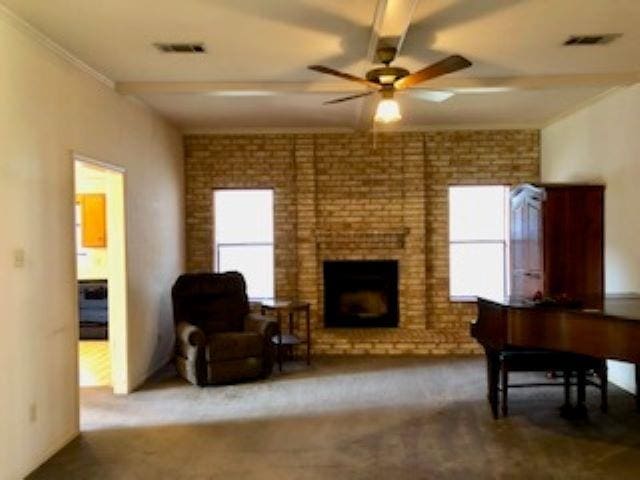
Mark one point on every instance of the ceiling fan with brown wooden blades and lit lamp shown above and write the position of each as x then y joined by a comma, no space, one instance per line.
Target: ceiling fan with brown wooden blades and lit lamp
387,80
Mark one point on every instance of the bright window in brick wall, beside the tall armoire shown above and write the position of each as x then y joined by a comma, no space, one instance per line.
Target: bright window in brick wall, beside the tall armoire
478,233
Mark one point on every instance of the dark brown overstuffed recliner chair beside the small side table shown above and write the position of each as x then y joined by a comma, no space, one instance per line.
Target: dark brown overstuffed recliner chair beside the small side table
217,340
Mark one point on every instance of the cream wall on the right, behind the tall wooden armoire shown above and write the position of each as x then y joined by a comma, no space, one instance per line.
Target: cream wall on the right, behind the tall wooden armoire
601,143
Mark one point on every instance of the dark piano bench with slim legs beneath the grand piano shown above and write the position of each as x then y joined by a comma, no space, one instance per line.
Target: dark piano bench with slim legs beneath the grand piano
539,360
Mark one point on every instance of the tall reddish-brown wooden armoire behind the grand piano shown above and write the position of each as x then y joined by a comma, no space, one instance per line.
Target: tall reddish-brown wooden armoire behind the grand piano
557,243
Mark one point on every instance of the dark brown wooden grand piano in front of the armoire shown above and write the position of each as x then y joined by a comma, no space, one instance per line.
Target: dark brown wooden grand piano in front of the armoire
612,332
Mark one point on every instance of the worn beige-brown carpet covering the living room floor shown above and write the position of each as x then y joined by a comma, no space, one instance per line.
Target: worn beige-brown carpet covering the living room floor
347,418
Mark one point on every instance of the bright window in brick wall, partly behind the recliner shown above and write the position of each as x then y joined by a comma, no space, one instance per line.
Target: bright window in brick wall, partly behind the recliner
244,237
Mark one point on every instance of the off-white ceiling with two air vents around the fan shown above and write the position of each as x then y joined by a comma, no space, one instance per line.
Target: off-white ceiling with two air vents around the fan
266,45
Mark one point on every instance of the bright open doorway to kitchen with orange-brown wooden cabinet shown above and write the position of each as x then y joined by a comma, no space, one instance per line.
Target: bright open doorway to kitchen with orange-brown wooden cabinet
101,275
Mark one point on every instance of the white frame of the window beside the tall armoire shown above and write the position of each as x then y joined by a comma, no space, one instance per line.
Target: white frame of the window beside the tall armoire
504,242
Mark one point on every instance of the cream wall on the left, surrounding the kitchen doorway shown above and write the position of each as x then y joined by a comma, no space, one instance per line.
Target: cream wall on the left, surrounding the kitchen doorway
48,108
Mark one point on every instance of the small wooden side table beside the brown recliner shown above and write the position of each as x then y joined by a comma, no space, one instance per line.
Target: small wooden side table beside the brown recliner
289,309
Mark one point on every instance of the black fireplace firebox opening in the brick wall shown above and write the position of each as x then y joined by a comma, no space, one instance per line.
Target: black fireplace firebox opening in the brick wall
361,293
